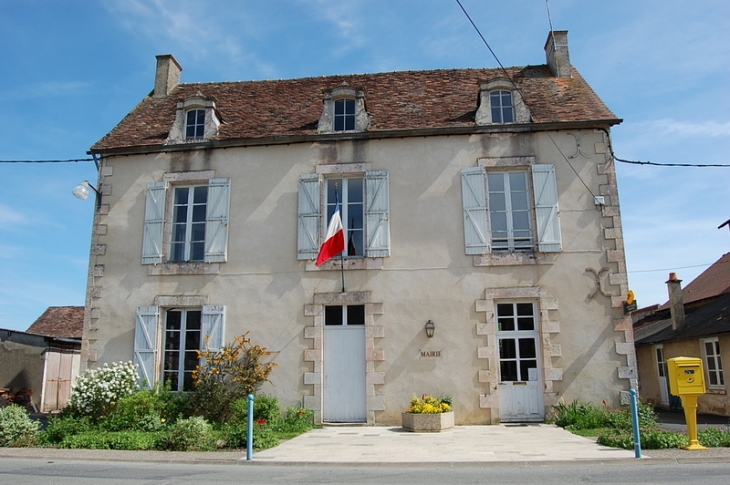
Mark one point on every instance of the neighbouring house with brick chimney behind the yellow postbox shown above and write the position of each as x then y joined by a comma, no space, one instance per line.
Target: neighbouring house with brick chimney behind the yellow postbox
695,322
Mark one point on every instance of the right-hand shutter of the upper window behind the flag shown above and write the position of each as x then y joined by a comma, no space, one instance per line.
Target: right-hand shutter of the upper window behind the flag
377,214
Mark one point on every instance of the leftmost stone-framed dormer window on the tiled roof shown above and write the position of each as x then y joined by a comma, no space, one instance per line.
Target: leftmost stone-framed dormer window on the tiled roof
196,120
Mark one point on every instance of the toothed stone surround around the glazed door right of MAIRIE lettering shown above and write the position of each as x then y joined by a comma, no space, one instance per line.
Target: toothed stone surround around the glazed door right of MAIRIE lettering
547,307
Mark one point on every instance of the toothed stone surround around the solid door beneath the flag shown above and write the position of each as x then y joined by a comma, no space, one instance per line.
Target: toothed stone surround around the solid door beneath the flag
314,354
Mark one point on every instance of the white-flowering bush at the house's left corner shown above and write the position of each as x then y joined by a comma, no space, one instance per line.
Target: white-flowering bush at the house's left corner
98,390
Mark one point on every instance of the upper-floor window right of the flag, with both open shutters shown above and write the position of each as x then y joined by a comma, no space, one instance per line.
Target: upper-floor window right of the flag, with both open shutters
510,210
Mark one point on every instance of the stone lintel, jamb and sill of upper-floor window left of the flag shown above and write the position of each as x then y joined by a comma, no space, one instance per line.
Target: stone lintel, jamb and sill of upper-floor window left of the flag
187,267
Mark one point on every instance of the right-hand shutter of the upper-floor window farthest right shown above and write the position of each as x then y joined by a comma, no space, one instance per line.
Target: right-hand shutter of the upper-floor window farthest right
545,185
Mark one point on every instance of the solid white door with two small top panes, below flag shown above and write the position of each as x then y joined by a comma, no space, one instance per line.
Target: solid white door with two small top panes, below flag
344,365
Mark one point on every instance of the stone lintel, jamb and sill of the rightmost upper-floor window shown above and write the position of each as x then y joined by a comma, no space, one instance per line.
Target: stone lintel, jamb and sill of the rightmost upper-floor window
513,258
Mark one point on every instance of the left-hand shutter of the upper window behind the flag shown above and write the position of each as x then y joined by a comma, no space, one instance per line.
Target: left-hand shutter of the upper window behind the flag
309,217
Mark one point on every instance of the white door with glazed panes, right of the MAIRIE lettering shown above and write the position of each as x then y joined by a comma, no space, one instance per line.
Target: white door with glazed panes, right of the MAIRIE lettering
520,379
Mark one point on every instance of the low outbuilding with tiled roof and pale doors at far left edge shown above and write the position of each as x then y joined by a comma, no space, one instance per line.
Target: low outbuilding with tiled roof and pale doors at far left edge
40,365
